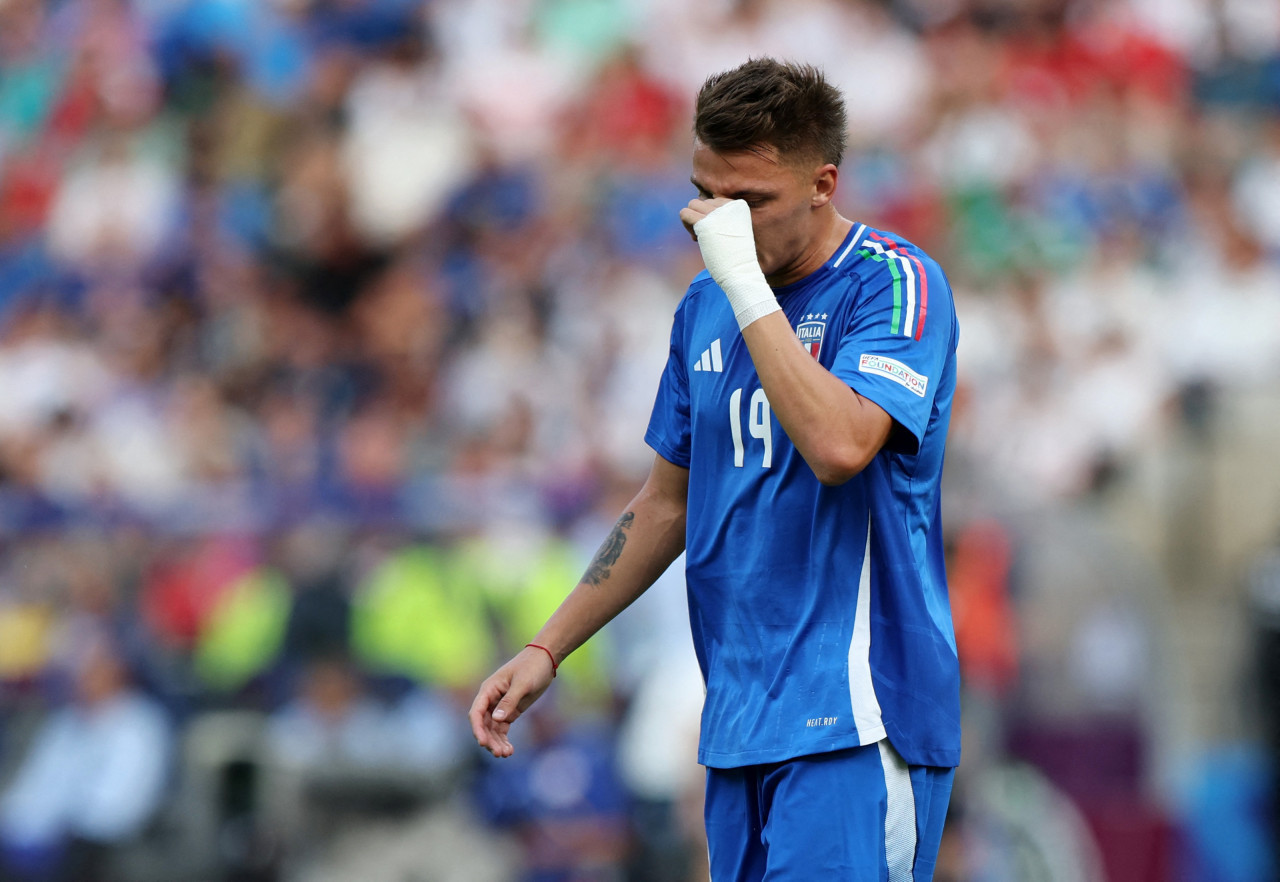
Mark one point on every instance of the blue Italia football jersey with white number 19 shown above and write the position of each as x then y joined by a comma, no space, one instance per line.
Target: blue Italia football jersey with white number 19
820,614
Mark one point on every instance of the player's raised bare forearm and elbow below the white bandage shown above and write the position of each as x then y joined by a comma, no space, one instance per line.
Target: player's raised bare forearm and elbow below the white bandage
836,432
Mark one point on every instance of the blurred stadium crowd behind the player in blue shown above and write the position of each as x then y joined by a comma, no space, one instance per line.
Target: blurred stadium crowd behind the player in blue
330,331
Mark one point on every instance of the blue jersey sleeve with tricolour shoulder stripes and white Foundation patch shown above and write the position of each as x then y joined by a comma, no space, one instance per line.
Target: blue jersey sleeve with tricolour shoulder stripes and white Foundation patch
898,340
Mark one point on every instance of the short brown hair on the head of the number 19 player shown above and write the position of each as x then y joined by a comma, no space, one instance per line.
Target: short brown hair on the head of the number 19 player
765,102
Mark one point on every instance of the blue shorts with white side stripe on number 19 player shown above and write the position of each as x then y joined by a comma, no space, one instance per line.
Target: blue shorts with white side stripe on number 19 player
852,816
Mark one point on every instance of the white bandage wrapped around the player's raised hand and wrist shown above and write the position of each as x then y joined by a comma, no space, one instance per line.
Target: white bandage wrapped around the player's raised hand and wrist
728,244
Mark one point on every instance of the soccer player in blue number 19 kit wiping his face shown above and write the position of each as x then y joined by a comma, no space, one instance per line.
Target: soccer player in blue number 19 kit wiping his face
799,432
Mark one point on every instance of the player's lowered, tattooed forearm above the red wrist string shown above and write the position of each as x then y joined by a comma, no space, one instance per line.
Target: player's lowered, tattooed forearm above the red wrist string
644,542
